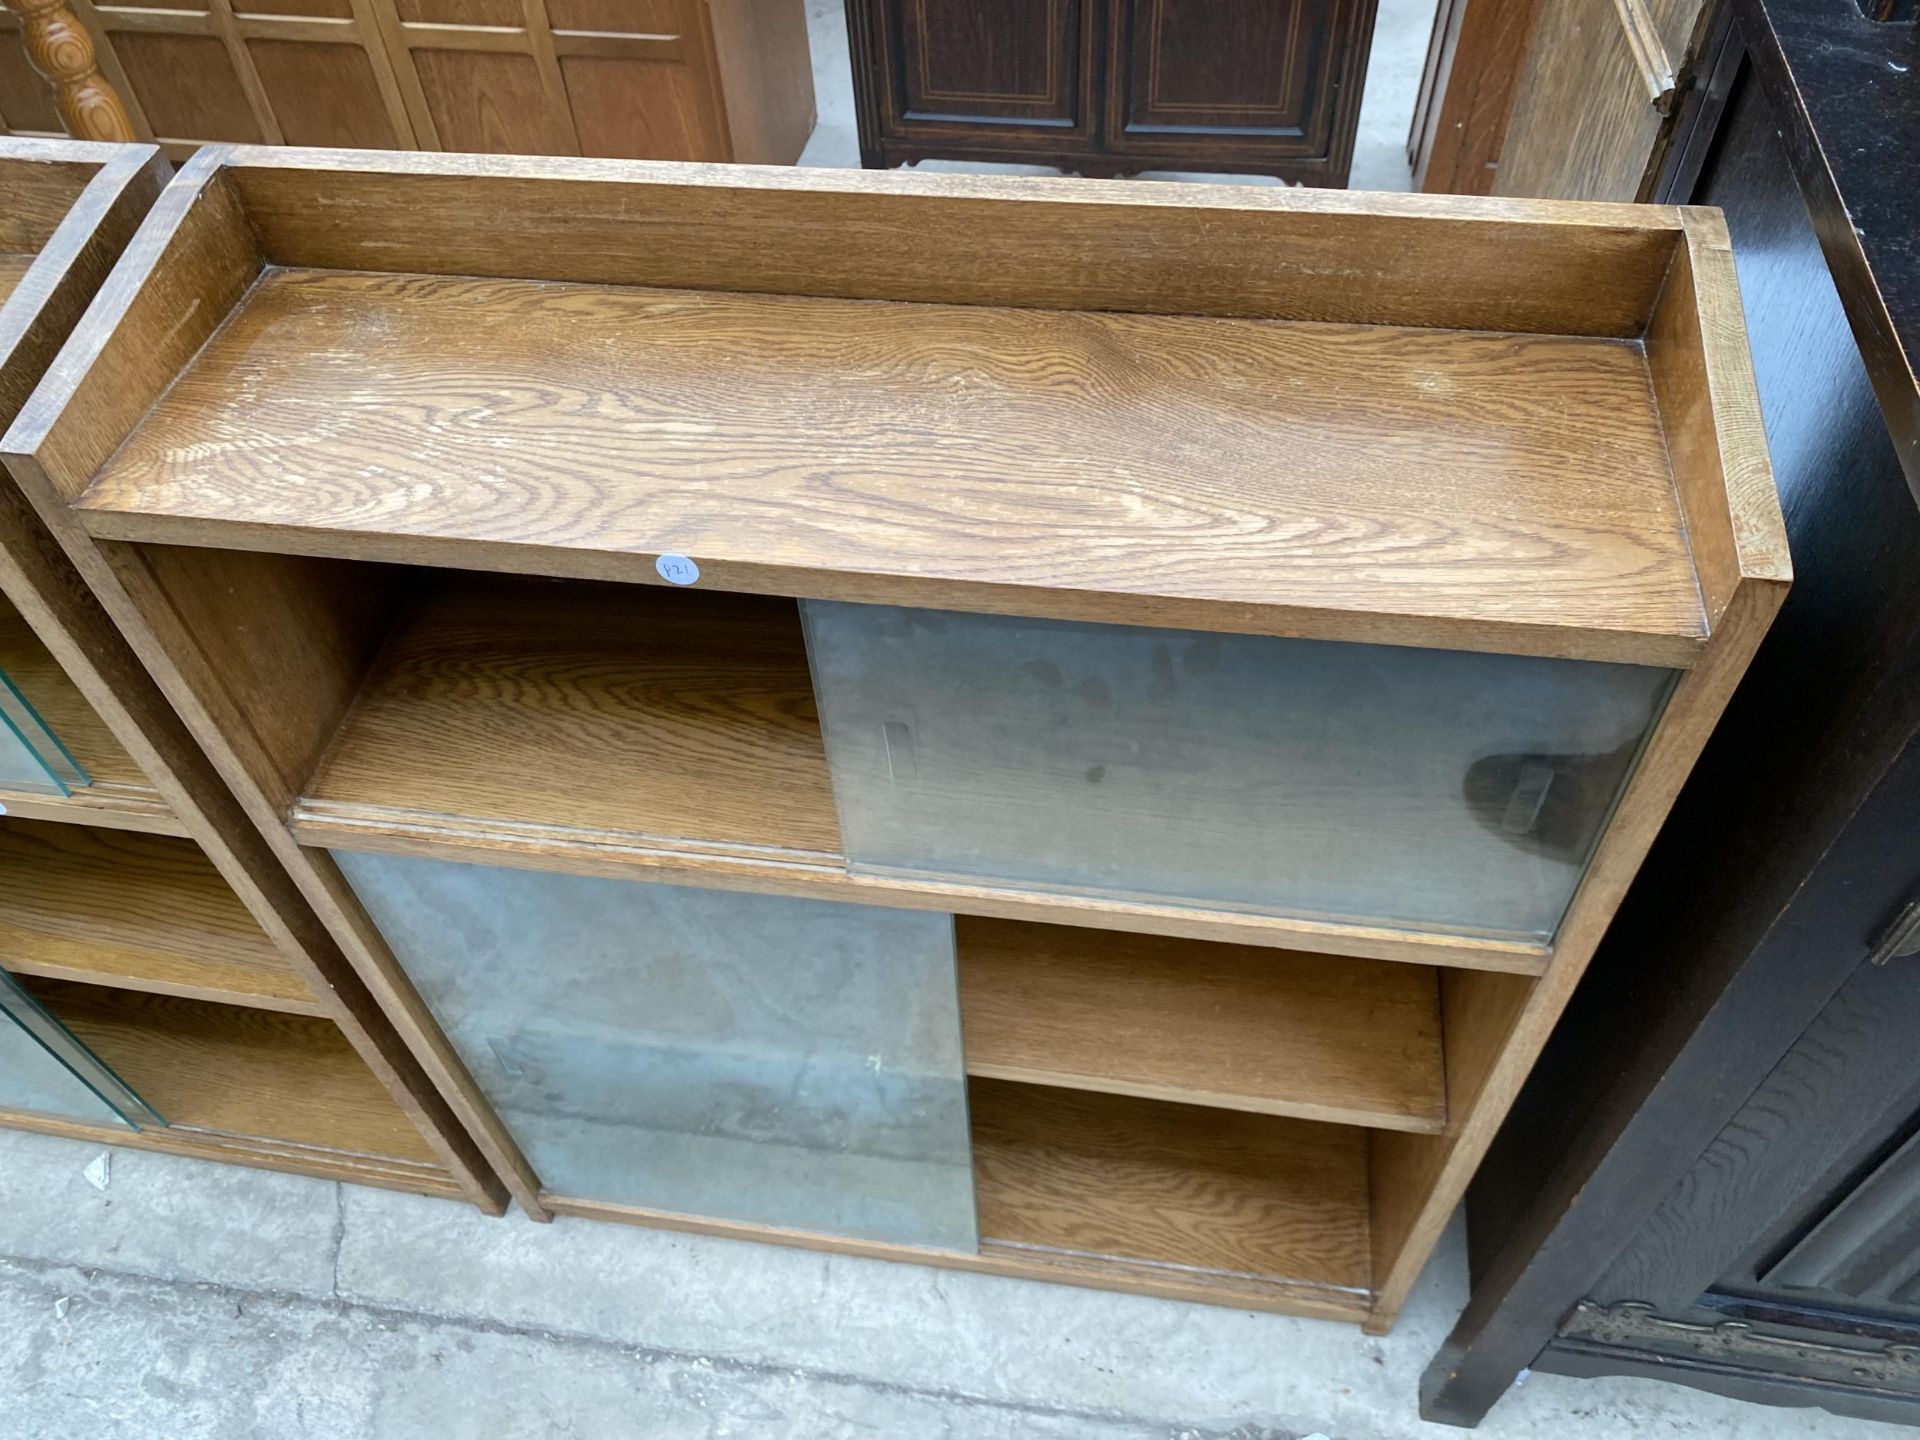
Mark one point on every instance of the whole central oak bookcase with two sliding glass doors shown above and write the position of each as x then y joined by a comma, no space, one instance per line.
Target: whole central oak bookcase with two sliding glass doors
1061,729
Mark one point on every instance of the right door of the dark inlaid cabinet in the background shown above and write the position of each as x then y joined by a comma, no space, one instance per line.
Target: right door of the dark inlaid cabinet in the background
1255,78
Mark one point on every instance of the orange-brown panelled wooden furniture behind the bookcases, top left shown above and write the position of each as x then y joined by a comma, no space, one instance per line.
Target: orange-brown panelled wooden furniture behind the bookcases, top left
654,80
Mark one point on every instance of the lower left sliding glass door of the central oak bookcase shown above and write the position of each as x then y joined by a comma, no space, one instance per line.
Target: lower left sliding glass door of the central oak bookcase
740,1057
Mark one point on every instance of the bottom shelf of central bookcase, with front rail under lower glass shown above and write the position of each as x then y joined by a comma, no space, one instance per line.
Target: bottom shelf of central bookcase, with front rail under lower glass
1140,1197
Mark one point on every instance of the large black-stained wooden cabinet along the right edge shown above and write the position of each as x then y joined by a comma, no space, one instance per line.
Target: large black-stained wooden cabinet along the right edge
1740,1207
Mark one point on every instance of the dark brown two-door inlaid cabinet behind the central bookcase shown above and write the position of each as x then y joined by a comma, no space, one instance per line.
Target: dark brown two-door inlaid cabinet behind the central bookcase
1111,87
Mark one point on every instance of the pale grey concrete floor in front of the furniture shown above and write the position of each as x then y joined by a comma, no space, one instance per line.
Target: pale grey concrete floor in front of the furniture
191,1301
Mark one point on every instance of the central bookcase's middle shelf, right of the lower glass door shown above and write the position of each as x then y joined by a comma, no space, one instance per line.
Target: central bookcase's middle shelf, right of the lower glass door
1232,1026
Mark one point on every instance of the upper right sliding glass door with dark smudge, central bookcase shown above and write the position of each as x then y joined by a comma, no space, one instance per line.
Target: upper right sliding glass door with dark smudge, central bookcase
1431,790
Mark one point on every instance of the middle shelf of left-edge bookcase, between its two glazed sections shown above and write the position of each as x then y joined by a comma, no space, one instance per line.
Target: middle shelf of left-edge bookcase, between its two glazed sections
145,913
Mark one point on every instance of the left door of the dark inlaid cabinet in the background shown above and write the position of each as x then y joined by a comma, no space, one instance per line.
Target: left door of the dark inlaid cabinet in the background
1001,68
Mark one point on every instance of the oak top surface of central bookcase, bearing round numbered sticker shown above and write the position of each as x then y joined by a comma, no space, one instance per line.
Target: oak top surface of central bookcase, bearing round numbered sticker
1418,487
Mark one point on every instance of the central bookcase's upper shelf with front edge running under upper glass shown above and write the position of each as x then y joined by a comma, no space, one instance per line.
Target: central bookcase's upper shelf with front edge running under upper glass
665,736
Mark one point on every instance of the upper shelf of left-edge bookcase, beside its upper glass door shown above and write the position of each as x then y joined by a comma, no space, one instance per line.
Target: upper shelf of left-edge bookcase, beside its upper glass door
120,796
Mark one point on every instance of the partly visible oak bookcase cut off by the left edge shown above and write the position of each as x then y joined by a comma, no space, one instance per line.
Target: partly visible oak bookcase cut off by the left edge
147,934
